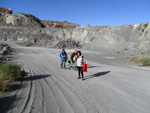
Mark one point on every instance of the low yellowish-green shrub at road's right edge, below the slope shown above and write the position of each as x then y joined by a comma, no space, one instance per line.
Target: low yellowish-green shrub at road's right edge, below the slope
144,61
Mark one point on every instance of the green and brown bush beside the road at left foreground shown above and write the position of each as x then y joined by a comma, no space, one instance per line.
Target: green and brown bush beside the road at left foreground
8,73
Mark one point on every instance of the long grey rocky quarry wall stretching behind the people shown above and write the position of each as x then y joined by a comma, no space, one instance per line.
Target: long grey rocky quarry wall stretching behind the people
128,38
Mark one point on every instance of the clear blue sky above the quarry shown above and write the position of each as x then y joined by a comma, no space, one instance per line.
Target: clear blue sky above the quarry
93,12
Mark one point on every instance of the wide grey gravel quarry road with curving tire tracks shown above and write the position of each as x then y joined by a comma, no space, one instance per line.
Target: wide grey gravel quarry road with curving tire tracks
106,89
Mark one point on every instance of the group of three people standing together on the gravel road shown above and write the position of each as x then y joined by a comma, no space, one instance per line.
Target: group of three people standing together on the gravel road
77,61
